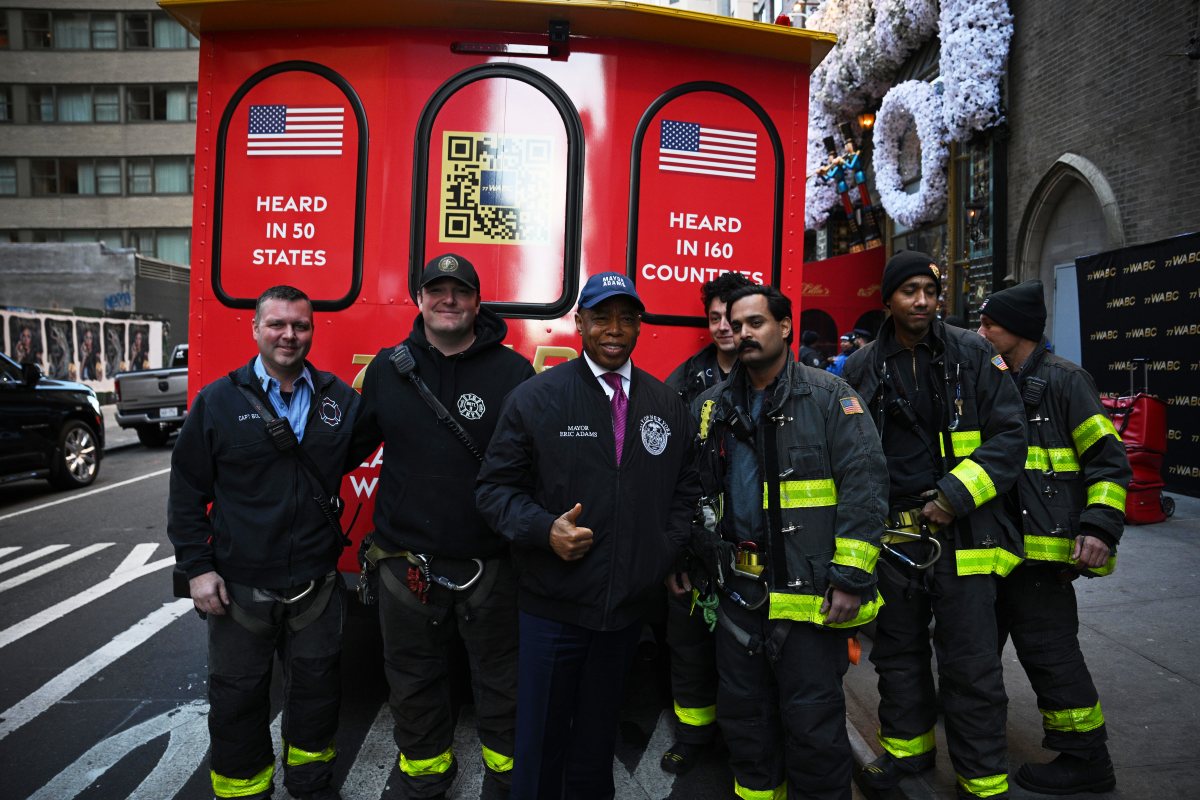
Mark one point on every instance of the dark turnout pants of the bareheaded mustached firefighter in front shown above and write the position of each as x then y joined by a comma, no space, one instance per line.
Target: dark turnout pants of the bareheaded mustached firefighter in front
784,719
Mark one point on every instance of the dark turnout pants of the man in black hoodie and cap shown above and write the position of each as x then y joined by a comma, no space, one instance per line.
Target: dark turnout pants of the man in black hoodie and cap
417,643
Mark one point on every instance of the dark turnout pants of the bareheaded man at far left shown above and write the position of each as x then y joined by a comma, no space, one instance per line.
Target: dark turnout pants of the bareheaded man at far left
241,664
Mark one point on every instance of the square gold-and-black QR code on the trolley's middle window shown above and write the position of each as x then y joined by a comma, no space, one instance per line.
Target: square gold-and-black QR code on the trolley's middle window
496,189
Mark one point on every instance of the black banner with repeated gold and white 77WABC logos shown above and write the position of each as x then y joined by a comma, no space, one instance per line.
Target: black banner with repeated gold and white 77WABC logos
1141,303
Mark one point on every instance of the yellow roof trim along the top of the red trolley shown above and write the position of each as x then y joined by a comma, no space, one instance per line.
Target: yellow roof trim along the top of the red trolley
601,19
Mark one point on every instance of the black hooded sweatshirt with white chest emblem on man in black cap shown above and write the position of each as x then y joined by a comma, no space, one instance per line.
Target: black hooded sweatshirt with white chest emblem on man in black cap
427,496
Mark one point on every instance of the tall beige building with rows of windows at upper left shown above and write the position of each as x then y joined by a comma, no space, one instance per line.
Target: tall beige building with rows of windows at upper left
98,127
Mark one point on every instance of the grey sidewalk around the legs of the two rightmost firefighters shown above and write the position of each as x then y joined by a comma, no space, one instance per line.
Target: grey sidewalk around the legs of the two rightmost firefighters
1141,635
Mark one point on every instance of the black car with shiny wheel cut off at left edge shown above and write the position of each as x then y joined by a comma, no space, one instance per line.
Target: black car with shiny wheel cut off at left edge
49,429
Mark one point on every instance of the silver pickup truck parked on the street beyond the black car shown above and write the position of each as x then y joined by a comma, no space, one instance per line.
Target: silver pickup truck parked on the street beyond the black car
154,401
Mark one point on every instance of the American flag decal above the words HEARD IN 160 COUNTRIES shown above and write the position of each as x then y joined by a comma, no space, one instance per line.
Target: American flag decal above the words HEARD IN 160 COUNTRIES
693,148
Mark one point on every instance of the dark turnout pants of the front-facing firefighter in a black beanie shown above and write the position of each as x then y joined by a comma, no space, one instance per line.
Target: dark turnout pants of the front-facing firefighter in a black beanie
969,669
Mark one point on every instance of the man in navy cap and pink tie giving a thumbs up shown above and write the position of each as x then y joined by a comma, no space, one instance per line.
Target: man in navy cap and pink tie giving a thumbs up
598,513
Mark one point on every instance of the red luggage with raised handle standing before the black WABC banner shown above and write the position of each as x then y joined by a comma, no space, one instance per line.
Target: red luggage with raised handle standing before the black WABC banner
1142,422
